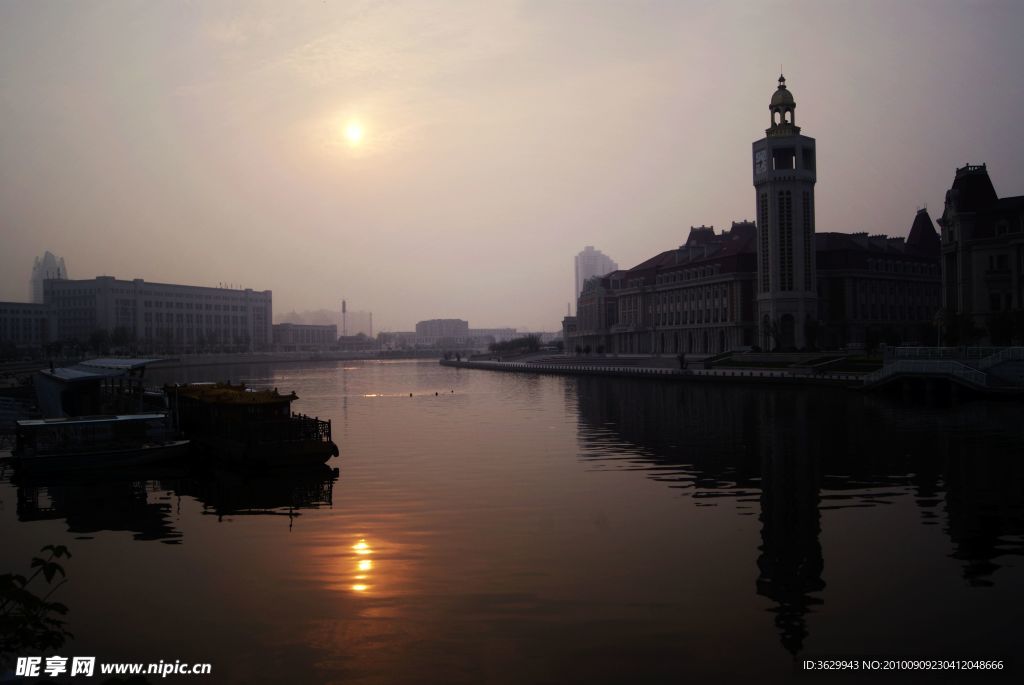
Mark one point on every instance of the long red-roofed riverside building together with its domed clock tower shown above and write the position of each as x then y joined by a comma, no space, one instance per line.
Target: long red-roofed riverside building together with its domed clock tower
778,284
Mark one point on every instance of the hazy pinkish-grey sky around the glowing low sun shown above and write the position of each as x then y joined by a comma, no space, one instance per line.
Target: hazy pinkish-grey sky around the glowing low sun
202,143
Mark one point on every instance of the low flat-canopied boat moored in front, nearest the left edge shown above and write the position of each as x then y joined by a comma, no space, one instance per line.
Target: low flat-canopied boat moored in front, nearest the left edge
96,442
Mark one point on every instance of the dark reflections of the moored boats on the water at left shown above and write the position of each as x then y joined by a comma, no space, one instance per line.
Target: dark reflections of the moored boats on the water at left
147,501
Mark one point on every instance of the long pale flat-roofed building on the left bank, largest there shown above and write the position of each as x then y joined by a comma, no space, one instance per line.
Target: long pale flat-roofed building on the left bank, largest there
160,316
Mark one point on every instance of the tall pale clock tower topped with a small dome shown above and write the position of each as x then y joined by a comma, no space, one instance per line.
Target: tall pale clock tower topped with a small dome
784,179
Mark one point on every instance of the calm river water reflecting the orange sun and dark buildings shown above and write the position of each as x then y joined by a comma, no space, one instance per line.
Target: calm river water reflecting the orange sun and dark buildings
490,528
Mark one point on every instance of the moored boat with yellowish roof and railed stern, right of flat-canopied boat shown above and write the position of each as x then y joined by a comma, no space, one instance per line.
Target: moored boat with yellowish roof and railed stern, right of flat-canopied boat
249,426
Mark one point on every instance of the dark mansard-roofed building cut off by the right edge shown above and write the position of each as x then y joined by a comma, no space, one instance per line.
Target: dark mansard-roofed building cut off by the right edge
983,262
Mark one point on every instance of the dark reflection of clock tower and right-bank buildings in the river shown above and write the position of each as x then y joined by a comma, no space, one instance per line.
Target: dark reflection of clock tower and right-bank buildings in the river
795,452
